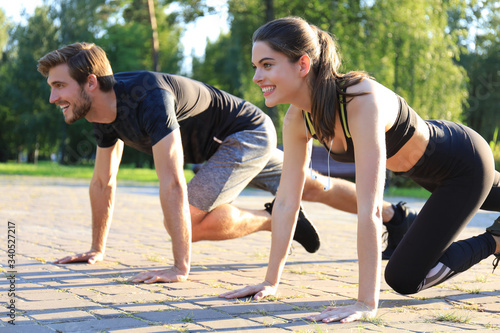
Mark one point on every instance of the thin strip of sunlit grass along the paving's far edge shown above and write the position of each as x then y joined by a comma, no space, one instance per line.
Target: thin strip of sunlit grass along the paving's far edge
145,175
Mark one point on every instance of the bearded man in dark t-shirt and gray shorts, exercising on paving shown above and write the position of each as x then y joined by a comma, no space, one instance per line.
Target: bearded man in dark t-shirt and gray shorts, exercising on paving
179,120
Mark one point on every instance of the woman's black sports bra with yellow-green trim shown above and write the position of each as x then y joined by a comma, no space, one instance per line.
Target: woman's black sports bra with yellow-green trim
395,138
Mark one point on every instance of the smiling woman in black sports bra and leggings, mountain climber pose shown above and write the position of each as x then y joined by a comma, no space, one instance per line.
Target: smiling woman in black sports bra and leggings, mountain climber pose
358,119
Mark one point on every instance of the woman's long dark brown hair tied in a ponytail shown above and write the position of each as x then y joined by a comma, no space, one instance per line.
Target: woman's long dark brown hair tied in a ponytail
294,37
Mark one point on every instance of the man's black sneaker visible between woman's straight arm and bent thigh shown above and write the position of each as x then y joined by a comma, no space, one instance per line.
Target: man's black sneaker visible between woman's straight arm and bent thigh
397,227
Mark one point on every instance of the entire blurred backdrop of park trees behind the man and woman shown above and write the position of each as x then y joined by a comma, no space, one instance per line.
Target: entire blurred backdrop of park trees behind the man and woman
443,57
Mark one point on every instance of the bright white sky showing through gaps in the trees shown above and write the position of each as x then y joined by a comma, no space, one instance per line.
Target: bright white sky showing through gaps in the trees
194,39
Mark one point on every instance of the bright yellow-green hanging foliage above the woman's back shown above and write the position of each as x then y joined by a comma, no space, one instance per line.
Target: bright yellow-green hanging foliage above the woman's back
412,53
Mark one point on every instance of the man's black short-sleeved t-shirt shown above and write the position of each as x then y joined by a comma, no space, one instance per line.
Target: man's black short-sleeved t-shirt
150,105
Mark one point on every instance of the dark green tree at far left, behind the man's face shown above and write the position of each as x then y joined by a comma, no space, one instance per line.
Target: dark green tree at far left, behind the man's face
35,123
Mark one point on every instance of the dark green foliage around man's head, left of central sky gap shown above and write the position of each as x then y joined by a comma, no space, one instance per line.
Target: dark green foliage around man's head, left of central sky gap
28,123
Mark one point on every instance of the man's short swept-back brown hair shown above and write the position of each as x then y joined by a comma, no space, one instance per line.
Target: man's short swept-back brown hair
82,59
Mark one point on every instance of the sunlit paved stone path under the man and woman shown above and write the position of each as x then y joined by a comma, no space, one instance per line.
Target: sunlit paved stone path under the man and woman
51,219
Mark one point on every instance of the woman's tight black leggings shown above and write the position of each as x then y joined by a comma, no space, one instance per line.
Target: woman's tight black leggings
458,169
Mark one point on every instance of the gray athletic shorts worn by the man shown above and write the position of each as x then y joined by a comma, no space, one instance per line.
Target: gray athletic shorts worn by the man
243,158
